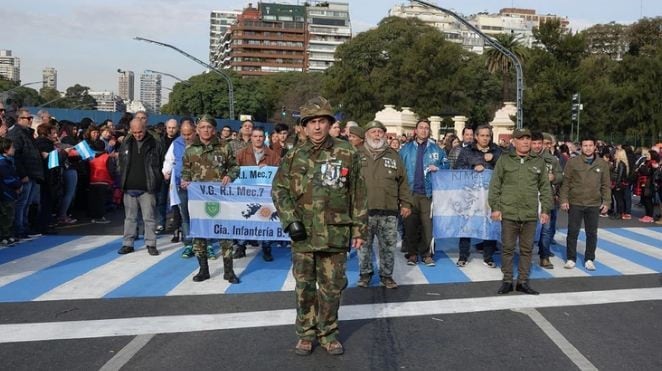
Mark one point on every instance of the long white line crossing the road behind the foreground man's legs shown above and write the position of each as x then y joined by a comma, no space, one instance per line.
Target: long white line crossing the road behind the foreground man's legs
12,333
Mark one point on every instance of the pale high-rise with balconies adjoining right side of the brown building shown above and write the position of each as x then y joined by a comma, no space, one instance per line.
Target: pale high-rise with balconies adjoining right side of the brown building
329,26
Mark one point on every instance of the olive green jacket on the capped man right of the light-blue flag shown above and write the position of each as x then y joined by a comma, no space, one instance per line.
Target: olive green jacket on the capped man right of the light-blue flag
518,186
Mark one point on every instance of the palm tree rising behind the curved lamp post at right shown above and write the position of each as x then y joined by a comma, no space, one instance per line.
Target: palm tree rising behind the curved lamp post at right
498,63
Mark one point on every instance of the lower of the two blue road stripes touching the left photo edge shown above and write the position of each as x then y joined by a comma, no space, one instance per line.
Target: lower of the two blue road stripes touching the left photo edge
38,283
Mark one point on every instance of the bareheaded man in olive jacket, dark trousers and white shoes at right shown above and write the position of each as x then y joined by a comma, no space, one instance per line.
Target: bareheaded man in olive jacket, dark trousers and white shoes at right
586,191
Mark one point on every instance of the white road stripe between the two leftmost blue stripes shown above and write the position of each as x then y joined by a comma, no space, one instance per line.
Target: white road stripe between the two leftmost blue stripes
23,267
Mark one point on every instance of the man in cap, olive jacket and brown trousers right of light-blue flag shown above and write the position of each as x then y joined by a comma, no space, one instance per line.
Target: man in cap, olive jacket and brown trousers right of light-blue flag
518,185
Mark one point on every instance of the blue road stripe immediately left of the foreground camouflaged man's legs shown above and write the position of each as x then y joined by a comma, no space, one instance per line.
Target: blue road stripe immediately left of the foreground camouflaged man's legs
261,276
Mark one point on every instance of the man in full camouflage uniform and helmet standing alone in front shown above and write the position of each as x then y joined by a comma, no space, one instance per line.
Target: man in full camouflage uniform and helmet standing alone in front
321,200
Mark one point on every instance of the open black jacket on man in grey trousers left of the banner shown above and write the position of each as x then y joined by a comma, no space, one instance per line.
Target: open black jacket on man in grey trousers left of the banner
154,153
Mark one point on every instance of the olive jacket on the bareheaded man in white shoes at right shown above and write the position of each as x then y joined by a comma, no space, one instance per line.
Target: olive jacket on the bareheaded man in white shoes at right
586,184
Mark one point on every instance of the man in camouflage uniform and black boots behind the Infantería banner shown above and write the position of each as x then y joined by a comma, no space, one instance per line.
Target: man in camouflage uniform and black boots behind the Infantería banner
209,159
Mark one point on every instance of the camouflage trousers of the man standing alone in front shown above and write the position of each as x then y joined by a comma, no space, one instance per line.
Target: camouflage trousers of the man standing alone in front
317,308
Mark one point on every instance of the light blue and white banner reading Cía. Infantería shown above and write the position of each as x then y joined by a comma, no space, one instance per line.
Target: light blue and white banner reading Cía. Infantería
241,210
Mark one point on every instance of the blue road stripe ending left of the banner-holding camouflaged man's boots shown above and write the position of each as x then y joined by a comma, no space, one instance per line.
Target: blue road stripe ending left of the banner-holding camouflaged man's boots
159,279
